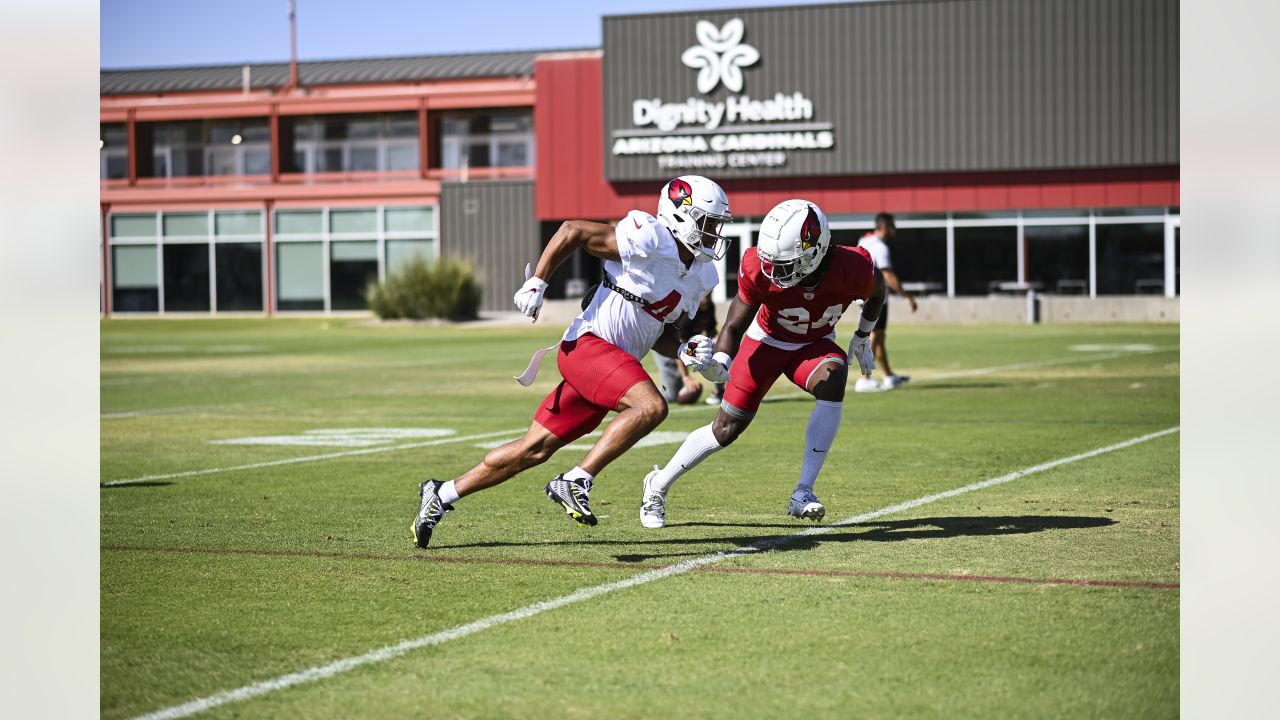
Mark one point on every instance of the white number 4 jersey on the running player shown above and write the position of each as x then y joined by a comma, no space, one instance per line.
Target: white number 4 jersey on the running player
652,270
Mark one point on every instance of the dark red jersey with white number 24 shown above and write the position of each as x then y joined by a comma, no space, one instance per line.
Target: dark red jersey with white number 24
799,315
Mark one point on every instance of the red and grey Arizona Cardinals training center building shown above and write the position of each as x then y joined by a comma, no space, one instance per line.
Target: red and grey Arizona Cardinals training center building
1026,147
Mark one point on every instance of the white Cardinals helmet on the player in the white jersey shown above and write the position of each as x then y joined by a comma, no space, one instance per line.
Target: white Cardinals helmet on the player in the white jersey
696,209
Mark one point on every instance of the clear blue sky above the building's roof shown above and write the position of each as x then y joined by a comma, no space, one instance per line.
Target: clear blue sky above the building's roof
138,34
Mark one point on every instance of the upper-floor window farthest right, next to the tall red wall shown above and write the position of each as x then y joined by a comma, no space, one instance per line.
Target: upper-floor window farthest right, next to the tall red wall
495,139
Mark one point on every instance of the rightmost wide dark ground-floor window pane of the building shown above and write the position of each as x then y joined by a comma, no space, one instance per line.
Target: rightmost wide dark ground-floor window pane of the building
1132,259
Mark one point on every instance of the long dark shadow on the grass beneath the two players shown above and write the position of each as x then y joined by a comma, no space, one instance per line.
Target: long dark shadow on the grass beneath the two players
880,531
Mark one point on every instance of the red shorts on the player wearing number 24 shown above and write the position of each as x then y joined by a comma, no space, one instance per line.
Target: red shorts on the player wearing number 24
757,366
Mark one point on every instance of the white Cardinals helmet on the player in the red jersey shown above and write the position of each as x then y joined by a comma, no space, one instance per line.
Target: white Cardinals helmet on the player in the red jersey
794,240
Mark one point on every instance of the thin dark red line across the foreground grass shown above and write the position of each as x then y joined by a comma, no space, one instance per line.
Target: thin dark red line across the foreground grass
435,558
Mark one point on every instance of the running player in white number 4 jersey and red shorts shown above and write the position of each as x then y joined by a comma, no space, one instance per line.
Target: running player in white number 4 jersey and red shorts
657,271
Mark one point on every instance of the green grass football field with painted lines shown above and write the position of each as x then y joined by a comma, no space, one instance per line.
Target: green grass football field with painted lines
1002,536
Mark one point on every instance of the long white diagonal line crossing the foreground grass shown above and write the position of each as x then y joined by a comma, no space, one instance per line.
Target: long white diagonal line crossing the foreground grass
391,653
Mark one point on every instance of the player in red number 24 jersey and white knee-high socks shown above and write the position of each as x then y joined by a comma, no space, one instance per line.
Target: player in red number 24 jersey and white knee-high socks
793,290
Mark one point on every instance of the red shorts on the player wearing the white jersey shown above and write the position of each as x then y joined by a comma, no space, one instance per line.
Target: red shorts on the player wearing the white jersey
597,375
